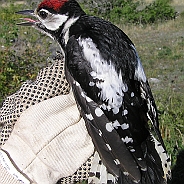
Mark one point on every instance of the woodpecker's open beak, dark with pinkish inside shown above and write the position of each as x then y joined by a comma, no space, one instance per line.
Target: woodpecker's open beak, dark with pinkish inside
27,21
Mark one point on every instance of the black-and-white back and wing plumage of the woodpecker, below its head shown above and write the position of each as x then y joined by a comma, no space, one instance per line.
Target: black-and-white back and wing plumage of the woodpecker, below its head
133,147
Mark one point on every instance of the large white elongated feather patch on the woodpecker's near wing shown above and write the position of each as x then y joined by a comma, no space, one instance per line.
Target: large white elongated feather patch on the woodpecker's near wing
108,79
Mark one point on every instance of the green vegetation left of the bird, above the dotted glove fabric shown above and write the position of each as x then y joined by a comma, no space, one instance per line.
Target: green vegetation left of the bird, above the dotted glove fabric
21,50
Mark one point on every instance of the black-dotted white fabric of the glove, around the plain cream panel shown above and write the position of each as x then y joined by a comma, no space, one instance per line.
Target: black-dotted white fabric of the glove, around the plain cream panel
49,83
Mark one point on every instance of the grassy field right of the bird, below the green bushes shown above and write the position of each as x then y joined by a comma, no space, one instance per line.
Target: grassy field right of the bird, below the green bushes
160,47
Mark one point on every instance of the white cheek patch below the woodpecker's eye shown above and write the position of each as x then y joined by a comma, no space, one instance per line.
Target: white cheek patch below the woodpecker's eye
54,21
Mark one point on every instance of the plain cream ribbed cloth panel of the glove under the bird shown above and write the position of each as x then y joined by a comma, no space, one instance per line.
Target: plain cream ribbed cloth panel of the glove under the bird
50,140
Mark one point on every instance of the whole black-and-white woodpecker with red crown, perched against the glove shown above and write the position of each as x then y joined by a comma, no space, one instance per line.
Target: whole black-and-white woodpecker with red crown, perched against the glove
111,90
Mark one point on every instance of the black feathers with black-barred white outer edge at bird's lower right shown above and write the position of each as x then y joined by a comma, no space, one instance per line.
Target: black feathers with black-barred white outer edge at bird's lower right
156,161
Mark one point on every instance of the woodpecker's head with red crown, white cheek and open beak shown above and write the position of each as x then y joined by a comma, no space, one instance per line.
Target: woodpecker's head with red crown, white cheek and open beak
51,16
